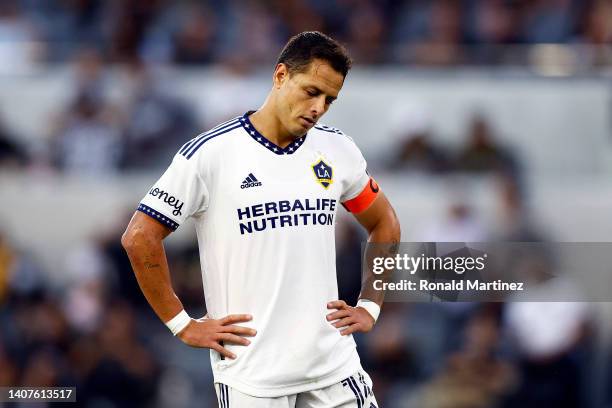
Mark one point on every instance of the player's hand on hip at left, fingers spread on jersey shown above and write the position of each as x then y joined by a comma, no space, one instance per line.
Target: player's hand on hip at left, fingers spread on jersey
211,333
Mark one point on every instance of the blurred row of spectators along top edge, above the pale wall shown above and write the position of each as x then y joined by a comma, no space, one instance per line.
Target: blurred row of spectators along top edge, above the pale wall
246,31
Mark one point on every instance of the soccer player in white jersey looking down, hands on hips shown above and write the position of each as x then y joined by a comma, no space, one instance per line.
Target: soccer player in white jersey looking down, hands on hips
264,189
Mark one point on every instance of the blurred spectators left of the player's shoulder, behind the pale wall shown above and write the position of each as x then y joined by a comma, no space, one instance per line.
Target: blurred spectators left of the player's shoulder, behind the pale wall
95,134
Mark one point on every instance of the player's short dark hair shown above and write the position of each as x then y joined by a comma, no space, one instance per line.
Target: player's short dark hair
303,48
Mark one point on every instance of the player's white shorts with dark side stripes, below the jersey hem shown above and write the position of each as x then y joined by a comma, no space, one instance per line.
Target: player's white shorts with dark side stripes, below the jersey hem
352,392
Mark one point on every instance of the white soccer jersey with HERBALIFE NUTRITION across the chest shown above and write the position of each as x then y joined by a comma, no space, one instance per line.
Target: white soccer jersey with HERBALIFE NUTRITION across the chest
265,221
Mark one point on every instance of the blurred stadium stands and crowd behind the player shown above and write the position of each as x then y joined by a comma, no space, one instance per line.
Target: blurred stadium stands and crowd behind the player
481,119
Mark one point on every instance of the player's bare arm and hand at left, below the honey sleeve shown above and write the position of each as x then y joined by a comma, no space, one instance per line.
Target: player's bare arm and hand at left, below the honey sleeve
142,241
